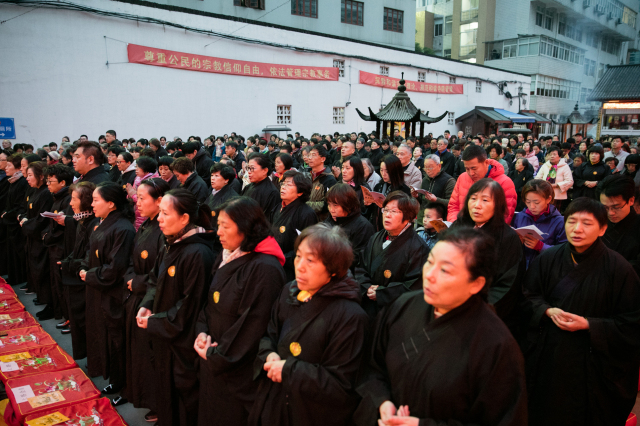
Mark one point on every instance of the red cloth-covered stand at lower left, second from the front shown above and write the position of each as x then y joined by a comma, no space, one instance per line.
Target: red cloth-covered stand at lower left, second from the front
47,392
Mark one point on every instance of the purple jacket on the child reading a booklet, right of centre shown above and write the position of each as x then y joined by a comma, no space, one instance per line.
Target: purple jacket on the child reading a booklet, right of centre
551,223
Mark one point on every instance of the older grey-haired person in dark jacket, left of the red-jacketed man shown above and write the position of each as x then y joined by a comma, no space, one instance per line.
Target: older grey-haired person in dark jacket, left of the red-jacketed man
437,183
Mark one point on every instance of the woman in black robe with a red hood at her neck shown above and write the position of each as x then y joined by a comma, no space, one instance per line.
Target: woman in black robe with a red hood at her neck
247,278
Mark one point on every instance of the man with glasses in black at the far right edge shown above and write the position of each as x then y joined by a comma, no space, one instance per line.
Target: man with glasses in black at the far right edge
623,226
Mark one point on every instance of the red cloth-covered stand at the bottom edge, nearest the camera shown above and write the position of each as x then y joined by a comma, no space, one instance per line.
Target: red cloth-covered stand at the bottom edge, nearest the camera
99,411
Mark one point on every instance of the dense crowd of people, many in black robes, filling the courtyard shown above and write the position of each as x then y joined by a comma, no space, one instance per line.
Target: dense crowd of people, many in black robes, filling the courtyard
338,279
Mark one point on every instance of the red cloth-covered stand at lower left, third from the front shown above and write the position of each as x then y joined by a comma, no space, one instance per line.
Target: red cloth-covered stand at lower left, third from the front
42,359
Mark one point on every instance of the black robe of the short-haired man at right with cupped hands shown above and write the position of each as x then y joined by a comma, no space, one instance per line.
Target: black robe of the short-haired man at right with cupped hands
586,377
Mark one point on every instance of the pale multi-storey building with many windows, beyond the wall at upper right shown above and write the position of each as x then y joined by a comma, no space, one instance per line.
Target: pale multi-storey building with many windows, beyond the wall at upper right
565,45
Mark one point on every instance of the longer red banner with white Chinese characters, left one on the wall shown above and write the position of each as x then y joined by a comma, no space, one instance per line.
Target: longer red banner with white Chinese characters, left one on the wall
187,61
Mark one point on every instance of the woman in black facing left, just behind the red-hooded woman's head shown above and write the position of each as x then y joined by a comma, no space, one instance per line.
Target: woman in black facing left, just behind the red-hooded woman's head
261,188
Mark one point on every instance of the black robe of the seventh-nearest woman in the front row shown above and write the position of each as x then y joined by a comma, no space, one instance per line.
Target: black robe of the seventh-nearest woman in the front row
74,287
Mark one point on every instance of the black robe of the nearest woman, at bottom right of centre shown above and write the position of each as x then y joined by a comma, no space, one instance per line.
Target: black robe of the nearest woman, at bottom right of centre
463,368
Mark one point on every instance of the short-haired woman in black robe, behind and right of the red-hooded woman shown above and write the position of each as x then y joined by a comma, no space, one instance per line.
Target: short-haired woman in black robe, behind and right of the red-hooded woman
293,217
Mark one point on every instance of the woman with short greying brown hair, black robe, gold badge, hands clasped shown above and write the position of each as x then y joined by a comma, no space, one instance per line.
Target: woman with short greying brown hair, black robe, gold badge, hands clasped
311,353
